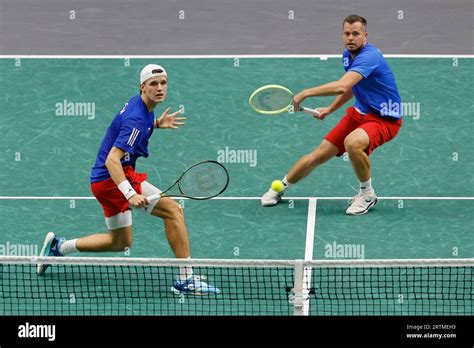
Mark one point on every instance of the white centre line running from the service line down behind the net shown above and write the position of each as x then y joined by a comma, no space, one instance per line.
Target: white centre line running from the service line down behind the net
308,253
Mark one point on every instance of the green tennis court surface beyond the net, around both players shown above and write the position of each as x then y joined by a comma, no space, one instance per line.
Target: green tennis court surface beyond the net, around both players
55,113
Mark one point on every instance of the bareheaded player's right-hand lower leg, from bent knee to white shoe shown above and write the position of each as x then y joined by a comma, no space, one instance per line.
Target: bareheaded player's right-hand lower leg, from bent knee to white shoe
357,144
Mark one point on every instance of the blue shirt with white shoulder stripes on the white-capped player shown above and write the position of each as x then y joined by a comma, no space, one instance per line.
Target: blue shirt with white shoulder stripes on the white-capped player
129,131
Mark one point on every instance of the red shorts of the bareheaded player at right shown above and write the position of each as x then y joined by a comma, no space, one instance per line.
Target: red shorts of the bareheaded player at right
379,129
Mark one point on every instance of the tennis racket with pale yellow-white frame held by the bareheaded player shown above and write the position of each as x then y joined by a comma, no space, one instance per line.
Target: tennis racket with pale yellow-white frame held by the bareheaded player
275,99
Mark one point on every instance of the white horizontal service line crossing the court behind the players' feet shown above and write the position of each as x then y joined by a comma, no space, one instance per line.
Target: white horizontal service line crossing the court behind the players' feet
438,198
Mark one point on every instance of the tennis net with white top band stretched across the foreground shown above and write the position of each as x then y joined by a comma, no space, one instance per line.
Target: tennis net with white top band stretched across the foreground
132,286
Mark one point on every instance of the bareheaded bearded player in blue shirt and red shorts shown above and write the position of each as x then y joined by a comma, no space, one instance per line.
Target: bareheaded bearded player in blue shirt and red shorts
374,119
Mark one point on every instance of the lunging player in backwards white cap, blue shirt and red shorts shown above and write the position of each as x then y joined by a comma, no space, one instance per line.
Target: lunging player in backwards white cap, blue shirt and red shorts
119,188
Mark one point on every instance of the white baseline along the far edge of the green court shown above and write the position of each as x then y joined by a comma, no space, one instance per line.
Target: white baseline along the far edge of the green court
219,56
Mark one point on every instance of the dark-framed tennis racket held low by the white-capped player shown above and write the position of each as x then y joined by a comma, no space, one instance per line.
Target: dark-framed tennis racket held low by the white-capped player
202,180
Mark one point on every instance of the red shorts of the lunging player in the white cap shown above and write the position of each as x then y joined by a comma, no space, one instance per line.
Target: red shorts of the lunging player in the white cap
111,198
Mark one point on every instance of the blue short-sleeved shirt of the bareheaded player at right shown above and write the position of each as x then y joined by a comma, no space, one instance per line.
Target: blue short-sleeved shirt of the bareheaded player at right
377,92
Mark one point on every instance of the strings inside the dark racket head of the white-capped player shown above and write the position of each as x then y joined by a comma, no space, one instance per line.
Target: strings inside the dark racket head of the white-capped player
206,179
